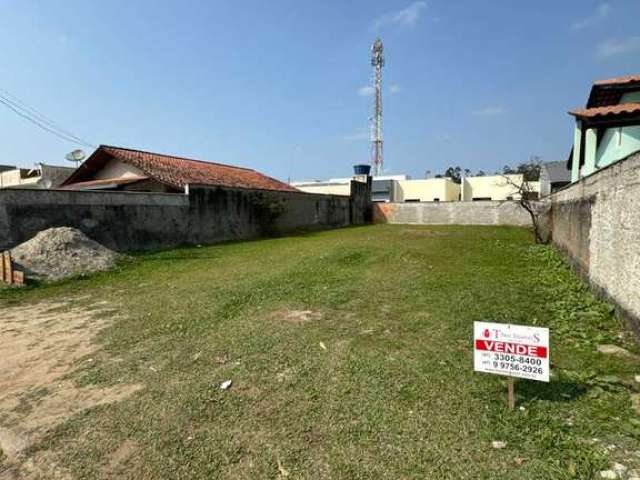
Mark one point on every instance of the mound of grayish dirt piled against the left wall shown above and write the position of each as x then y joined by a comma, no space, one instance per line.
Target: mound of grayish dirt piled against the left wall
59,253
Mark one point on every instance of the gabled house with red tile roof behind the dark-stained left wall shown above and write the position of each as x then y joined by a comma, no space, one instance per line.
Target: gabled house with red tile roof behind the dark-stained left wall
116,168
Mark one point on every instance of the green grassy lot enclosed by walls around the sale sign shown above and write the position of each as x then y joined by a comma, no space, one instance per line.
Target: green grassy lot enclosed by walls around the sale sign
375,380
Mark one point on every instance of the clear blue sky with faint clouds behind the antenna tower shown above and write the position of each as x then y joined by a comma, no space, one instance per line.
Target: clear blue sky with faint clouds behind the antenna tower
278,85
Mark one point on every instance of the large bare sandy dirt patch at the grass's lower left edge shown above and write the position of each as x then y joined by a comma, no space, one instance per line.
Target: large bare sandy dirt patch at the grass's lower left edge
39,346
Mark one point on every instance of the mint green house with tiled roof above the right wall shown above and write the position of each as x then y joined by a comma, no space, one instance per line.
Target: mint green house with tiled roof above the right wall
608,129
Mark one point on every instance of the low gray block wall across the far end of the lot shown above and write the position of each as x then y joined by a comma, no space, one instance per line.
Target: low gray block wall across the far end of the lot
453,213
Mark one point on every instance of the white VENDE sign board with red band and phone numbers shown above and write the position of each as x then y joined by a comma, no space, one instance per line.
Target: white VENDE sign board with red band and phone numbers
511,350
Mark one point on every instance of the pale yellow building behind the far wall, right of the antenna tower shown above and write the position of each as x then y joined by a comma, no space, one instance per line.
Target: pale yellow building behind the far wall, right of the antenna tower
494,187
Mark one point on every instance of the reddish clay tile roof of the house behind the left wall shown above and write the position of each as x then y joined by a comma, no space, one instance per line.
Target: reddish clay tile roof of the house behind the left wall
178,172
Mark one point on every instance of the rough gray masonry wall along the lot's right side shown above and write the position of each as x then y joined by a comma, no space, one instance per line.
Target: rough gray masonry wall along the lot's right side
596,222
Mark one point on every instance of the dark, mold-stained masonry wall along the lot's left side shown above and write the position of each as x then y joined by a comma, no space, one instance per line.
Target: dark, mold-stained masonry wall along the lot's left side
129,221
